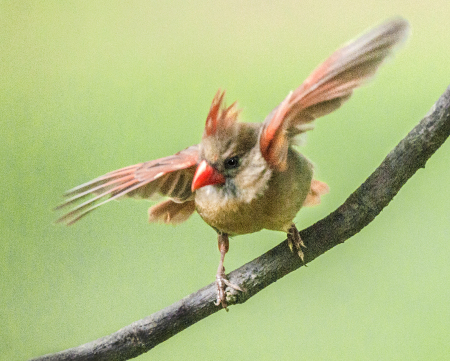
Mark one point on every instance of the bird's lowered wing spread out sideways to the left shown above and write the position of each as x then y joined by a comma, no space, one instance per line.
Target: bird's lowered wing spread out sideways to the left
170,176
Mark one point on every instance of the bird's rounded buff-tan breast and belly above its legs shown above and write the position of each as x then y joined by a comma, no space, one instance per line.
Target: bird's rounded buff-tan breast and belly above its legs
271,202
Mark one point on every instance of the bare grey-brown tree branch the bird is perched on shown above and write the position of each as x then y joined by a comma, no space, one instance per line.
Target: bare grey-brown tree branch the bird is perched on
357,211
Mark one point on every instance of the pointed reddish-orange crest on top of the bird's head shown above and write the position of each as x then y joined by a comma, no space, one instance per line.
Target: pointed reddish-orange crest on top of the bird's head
220,117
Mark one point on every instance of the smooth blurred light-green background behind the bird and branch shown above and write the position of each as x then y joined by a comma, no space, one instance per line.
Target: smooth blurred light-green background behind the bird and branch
92,86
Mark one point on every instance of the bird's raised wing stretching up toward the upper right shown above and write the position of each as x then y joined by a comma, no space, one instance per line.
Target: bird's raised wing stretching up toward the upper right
329,85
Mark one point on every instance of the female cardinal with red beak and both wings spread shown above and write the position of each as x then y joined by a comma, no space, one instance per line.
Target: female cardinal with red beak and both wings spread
244,177
